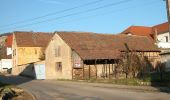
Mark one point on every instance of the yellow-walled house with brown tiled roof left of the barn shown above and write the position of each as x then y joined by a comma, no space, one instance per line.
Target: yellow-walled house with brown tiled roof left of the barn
27,48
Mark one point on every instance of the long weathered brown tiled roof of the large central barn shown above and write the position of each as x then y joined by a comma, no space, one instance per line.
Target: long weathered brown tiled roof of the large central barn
104,46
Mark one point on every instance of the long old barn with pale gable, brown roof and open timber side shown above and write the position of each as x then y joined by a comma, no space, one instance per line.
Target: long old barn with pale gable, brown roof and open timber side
72,55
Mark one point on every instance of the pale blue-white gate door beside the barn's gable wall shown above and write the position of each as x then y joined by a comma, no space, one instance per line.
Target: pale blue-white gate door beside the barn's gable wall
40,71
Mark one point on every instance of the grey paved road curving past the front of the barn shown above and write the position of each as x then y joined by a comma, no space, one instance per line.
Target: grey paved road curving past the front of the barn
60,90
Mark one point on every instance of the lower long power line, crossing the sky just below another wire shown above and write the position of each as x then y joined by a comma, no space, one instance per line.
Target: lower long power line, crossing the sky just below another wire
77,13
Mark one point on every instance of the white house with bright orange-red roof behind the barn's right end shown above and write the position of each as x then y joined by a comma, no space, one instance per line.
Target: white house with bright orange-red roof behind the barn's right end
159,33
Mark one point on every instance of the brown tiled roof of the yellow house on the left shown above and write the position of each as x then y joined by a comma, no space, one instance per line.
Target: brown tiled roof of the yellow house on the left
32,39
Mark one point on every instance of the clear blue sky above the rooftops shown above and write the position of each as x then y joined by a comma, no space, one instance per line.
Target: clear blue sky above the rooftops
100,16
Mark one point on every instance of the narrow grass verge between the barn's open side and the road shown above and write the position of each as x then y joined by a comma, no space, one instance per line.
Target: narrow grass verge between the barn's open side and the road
147,80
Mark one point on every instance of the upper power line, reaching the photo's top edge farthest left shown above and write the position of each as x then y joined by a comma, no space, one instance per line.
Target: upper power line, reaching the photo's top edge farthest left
53,13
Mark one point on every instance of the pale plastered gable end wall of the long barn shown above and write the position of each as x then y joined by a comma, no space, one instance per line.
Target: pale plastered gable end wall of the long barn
51,59
